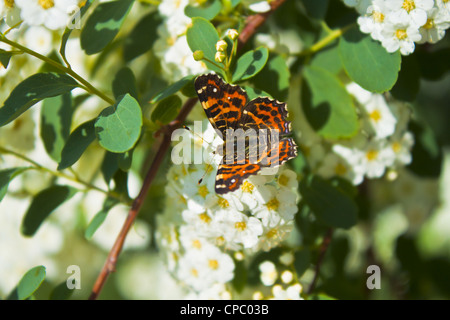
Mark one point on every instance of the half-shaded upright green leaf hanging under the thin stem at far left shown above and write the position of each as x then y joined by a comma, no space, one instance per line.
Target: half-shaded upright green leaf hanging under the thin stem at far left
56,117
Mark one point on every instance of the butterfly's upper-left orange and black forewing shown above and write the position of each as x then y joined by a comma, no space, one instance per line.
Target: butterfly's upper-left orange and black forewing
223,103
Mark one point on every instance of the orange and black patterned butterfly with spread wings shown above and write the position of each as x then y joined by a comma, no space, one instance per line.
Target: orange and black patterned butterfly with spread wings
228,107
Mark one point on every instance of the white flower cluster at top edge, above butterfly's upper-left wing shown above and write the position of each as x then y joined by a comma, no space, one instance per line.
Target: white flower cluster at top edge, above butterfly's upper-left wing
171,47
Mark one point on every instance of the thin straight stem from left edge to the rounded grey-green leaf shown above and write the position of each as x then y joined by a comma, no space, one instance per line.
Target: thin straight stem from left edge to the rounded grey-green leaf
86,85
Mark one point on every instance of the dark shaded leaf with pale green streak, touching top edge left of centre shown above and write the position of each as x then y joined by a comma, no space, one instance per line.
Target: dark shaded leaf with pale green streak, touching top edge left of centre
103,25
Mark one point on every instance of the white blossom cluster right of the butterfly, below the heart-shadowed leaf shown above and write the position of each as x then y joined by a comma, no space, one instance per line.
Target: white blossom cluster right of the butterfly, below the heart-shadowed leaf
382,144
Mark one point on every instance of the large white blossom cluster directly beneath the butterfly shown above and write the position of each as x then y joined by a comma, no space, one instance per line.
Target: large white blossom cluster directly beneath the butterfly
200,232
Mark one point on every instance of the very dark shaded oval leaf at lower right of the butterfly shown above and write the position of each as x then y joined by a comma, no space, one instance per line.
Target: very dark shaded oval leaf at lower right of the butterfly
333,206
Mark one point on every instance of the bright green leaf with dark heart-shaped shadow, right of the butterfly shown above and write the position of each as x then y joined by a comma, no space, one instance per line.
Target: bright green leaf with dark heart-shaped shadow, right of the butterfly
327,105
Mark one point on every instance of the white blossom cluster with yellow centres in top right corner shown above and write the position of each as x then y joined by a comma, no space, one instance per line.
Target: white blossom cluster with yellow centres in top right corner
400,24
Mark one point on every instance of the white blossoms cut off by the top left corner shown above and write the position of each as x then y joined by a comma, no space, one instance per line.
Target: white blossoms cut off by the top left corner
53,14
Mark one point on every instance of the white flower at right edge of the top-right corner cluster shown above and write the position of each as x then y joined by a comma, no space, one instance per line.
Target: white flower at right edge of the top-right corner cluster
434,29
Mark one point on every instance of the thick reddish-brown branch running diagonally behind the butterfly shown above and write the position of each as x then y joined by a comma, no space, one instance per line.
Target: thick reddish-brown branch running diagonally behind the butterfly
253,23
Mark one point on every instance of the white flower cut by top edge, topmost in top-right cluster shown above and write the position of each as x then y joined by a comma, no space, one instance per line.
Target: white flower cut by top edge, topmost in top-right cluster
416,9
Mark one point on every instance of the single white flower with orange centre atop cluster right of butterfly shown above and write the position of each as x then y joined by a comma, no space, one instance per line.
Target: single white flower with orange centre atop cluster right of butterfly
380,116
